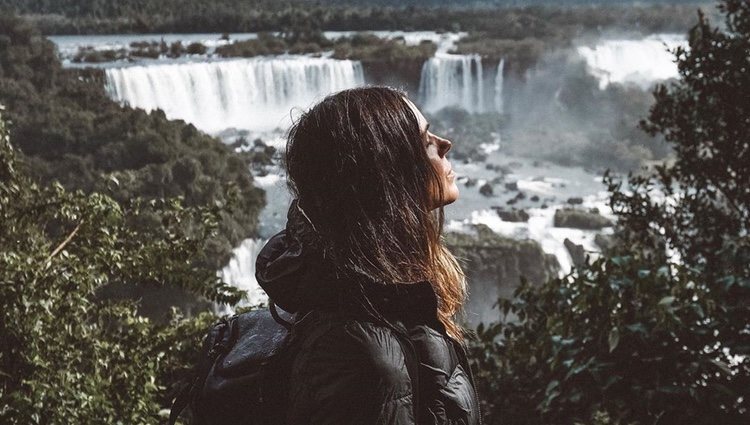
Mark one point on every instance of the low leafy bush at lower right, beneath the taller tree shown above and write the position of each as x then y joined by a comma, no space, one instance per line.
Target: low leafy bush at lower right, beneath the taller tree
626,336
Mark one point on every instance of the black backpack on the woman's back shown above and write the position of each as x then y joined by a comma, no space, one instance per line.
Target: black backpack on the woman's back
242,374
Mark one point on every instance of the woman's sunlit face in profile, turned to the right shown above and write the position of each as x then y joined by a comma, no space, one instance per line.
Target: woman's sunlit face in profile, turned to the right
437,149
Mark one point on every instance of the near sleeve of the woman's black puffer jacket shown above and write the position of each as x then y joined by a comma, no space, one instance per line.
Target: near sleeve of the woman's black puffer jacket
355,373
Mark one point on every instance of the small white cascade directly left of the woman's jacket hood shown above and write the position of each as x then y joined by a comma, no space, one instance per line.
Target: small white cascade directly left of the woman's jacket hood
240,272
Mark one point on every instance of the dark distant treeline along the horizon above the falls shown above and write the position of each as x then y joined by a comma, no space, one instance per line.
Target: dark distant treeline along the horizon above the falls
131,16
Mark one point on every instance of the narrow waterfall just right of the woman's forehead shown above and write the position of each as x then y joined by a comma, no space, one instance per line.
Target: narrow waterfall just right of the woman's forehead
452,80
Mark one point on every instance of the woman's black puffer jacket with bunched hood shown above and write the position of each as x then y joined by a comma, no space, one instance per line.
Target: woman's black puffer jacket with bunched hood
370,353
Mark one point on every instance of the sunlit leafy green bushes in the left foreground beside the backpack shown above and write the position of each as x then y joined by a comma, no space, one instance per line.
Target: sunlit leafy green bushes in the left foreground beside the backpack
67,355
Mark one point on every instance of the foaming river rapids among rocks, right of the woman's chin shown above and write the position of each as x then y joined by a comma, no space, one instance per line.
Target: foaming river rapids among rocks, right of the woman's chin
552,184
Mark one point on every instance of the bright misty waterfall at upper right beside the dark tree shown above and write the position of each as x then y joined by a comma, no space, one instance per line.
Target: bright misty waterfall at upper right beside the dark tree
640,62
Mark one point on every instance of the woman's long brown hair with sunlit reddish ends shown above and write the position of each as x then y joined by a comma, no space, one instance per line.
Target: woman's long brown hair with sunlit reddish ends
358,166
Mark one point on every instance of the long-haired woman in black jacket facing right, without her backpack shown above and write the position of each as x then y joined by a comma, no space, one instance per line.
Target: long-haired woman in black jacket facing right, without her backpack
362,260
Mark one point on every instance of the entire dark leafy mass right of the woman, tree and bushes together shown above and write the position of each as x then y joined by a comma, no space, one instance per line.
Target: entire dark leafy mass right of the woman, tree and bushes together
659,332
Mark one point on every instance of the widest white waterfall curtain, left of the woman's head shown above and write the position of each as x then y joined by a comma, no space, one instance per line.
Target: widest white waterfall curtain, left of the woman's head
255,94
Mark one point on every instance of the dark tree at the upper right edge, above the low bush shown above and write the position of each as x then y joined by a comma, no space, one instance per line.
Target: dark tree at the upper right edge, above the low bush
706,118
